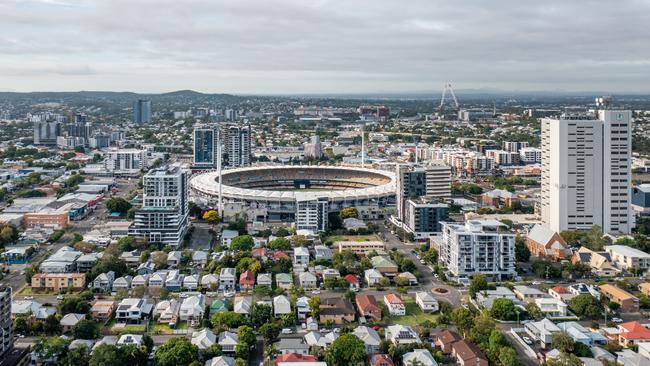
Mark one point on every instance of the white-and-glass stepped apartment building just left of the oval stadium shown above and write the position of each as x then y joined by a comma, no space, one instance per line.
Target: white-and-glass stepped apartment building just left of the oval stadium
163,217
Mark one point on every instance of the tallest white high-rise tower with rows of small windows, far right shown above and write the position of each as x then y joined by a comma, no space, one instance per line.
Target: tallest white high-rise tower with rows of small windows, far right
586,171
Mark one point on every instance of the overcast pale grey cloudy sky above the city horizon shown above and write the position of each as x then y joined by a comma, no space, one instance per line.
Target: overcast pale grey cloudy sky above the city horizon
323,46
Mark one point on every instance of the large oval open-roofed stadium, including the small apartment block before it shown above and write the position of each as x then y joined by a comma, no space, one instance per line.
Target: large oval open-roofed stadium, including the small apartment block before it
304,194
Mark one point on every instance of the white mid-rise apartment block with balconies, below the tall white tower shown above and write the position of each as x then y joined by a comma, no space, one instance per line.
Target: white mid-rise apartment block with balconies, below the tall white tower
478,246
